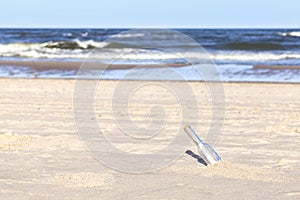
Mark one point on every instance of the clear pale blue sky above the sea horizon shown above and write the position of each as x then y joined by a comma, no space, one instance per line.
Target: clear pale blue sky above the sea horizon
150,14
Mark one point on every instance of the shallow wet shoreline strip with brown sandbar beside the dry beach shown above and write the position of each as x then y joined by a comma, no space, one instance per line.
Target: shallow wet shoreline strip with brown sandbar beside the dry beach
148,72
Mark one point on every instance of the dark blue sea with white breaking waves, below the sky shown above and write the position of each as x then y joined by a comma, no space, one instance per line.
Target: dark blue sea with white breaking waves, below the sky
239,55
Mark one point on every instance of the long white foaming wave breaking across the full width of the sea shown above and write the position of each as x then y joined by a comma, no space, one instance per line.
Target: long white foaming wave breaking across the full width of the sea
77,49
